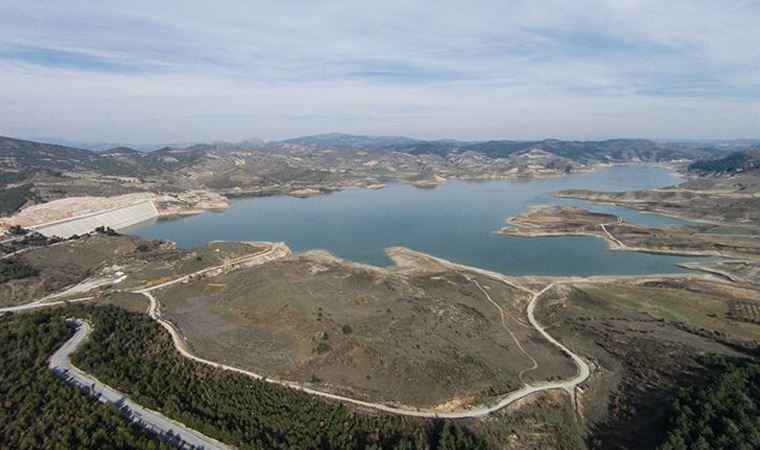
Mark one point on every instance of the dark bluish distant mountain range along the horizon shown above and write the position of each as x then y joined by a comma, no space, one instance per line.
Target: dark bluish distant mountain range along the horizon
128,161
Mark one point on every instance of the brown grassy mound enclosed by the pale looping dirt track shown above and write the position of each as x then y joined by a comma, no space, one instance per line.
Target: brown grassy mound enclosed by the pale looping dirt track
422,338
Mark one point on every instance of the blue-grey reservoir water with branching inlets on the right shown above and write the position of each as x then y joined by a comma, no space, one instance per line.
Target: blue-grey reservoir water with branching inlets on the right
456,221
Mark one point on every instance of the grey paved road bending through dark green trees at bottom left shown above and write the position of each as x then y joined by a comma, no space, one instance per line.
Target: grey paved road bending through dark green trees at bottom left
152,421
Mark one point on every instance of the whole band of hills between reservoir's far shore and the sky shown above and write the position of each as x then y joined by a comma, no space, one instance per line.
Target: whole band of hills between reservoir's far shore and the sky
307,165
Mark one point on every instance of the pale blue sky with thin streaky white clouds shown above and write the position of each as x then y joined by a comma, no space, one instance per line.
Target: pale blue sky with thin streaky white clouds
169,71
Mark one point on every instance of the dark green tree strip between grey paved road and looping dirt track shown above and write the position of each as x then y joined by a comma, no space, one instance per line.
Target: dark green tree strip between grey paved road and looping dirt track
133,354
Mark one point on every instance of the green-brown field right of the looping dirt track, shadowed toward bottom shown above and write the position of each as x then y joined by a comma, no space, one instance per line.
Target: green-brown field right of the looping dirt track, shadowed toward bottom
645,340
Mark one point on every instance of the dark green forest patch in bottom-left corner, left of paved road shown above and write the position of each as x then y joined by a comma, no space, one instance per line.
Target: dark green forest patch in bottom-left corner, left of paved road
40,411
